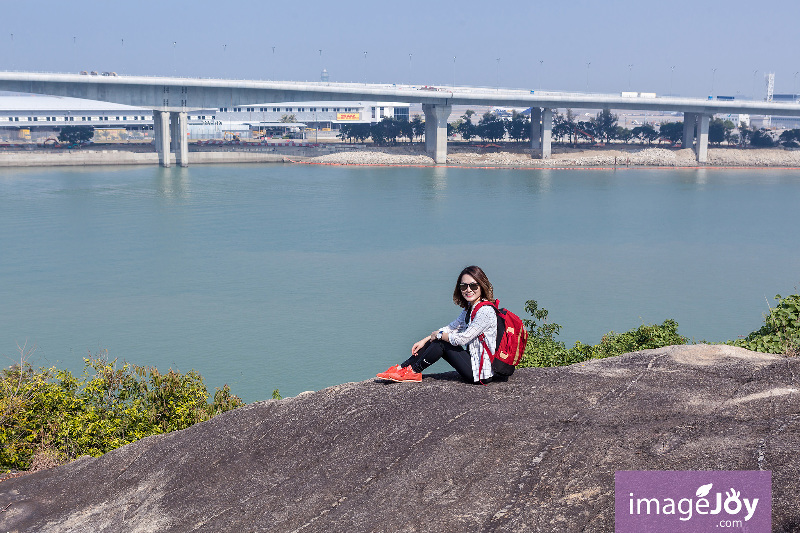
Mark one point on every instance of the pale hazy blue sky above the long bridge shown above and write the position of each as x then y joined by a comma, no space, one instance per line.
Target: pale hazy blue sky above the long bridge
577,45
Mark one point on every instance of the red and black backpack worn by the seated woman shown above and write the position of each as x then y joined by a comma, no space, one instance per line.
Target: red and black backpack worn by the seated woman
511,340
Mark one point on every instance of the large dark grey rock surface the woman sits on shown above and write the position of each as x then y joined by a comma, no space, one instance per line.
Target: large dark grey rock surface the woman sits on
537,453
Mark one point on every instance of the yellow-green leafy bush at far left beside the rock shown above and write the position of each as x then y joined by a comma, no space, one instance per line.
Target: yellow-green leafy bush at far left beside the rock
49,412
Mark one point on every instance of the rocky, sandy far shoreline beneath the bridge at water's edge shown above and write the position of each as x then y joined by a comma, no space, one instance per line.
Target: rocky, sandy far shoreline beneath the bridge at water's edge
494,156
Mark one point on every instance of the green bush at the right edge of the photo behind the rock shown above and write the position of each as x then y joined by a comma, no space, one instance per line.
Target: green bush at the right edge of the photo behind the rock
781,330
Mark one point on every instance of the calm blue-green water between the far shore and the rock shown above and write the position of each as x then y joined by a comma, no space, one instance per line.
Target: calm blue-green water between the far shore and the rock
298,277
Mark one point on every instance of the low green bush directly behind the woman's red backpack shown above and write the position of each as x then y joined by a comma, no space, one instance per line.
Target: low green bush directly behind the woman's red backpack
544,350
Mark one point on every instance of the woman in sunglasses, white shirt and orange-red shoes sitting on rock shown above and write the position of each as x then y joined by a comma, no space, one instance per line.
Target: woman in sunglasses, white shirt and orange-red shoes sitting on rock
459,342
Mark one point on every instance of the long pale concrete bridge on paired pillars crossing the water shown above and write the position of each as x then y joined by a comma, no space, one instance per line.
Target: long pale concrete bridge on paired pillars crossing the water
173,98
